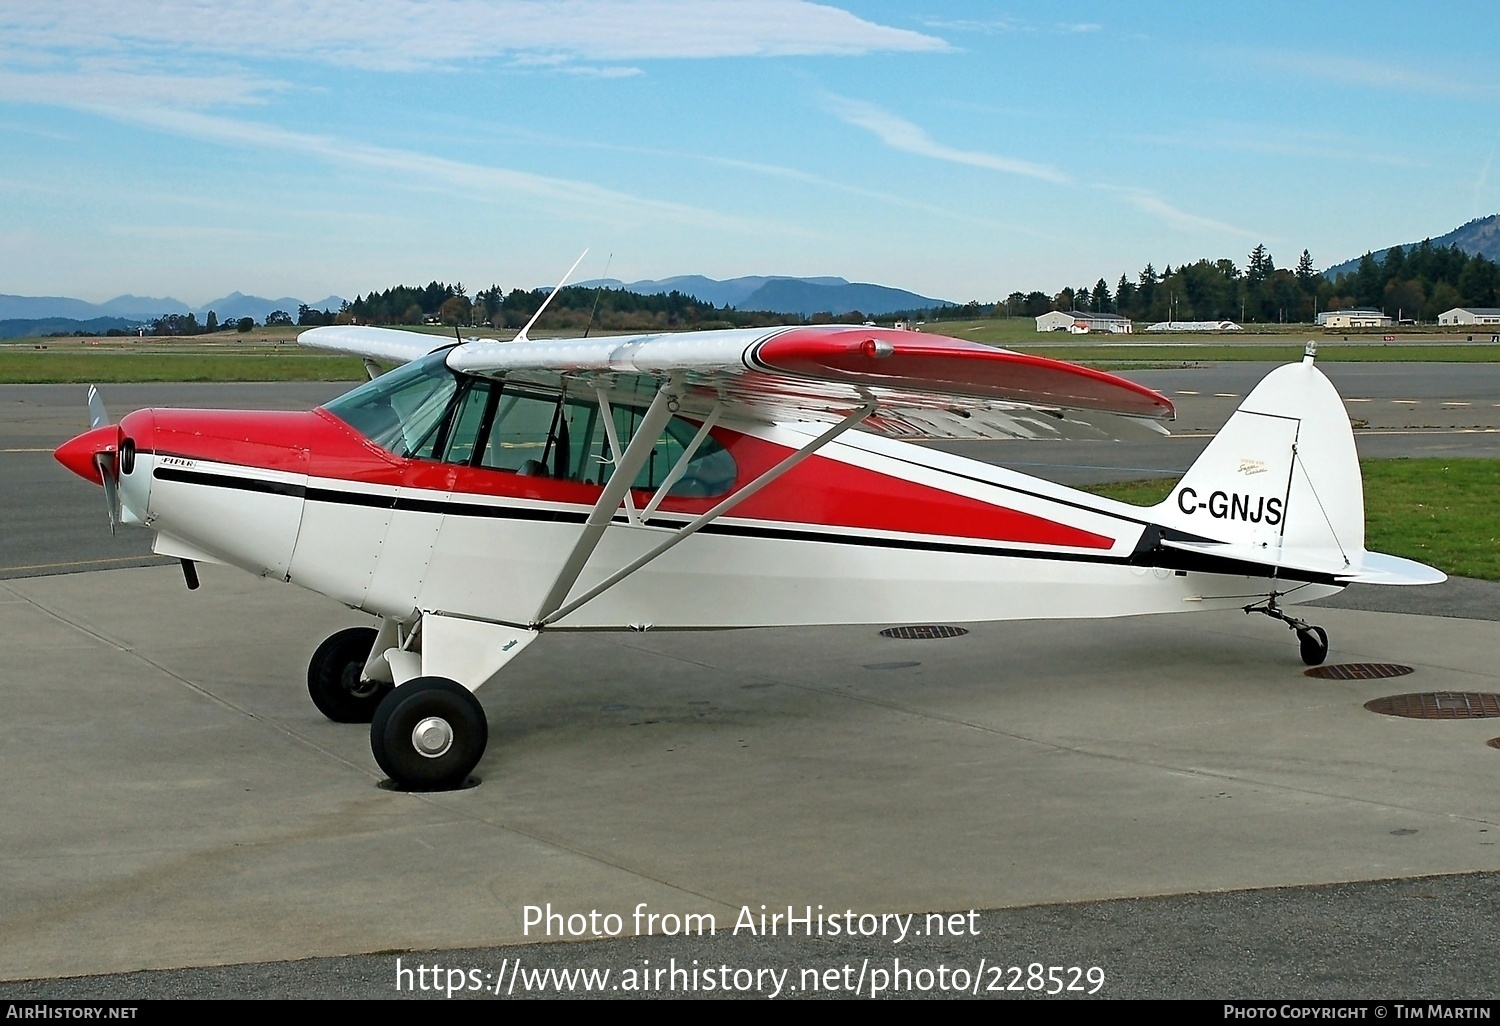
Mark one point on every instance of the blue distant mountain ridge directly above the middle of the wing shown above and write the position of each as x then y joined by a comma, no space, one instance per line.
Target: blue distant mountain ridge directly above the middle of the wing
782,295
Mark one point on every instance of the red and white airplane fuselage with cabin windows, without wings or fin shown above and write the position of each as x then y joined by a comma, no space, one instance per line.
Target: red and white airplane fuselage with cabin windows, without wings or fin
454,509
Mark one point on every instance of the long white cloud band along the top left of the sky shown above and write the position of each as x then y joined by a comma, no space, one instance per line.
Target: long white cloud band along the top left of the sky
416,34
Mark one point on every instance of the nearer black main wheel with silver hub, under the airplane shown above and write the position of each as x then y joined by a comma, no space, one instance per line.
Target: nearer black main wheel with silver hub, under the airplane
430,734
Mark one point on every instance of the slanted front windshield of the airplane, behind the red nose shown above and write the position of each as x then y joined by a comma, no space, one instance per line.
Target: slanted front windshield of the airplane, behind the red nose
403,410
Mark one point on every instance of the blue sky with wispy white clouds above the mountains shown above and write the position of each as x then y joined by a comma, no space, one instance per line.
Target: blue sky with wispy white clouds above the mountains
962,151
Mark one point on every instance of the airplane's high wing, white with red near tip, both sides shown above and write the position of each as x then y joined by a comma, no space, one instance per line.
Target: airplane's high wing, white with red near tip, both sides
925,385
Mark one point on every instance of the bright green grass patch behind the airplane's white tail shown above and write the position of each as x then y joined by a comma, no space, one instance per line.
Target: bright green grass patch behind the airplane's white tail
1442,512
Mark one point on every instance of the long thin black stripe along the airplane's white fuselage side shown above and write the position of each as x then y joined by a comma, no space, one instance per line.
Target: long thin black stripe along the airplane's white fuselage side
1147,553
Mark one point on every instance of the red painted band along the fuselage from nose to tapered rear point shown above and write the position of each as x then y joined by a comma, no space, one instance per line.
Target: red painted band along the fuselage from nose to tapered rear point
818,493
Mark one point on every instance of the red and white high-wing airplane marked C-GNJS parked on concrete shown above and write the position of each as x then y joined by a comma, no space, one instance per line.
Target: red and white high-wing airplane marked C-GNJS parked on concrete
488,493
